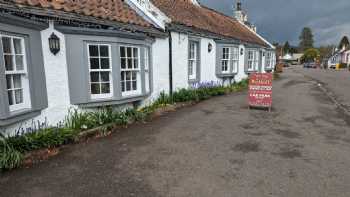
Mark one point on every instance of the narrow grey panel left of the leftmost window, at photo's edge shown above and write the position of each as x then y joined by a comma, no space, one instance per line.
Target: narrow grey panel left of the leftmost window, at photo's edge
4,108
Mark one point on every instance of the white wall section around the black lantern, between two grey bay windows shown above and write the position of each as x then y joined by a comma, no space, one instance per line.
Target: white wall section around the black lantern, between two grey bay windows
56,83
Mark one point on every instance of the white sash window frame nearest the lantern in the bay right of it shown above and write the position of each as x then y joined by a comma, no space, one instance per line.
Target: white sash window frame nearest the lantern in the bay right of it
107,95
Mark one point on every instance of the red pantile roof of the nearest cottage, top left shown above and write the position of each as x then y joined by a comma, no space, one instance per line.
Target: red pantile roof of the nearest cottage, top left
113,10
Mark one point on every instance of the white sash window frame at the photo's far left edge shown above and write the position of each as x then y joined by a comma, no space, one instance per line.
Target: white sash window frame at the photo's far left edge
26,103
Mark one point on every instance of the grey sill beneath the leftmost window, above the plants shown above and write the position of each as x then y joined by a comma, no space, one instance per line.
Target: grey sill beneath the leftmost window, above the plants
19,115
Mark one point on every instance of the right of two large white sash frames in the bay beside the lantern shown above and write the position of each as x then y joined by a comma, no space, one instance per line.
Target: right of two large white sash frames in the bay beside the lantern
137,70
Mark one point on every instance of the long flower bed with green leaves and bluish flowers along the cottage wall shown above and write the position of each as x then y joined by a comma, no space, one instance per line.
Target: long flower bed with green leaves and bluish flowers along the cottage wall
80,125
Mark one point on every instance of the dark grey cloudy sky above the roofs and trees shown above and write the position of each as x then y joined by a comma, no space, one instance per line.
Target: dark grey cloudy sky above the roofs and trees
283,20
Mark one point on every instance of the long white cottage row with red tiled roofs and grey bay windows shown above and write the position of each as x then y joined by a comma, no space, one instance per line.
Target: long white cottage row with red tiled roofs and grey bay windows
58,55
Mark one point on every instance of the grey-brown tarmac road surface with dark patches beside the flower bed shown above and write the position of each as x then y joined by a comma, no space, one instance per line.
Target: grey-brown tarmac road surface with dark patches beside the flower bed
215,148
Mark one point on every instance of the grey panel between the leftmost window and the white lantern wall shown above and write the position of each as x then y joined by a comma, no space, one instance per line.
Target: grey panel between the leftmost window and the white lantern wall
36,72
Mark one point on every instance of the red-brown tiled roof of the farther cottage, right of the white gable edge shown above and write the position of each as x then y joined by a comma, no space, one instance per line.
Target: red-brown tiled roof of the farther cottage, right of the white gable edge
184,12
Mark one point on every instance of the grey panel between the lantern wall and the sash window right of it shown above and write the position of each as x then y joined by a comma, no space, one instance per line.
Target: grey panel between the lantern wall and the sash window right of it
78,71
